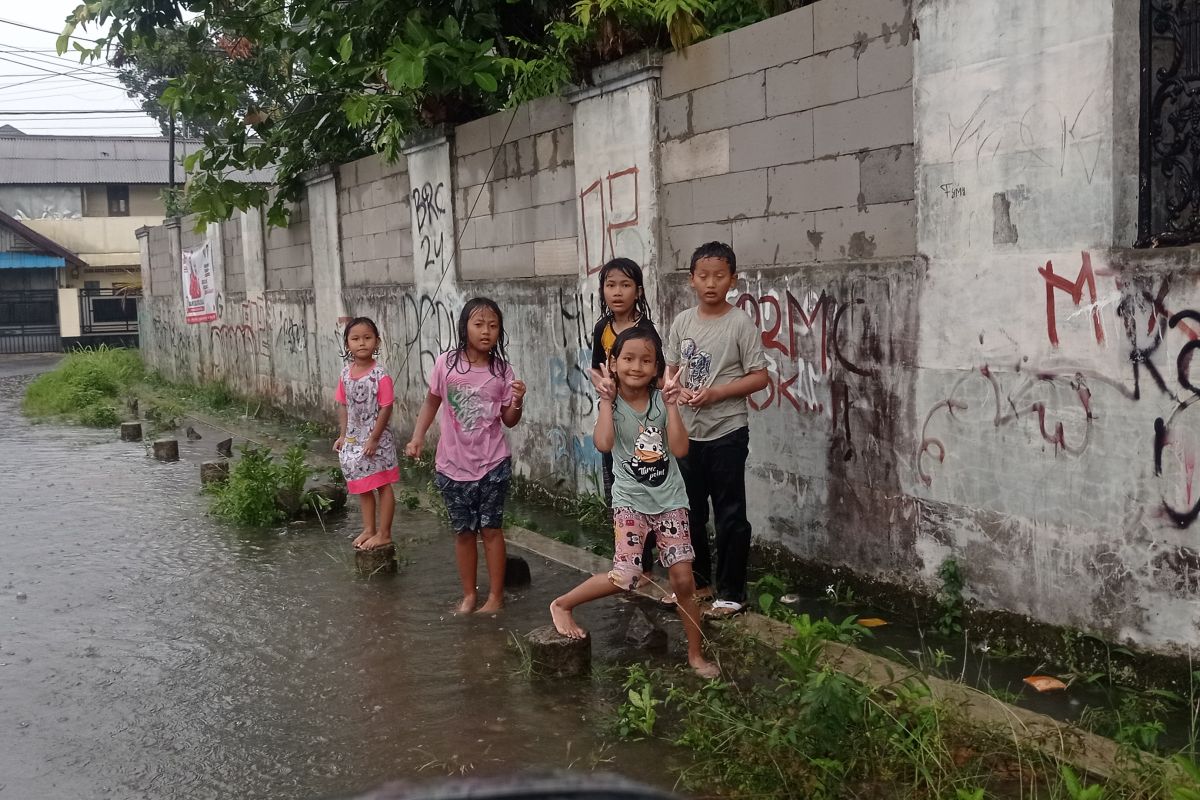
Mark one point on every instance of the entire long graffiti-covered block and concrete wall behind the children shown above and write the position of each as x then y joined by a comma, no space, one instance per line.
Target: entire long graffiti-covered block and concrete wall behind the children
965,359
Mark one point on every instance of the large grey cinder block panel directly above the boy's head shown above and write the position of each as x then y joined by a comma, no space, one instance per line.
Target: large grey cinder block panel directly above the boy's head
793,139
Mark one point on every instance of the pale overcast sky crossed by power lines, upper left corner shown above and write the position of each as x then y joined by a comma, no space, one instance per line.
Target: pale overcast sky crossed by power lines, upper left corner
32,80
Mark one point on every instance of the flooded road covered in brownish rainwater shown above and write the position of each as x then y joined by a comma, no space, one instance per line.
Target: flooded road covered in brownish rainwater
151,652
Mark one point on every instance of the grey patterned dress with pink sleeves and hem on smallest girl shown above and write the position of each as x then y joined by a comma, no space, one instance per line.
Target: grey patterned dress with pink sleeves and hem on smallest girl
364,399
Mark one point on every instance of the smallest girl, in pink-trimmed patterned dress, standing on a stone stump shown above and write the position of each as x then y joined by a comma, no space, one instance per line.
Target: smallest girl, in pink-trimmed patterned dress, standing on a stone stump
367,448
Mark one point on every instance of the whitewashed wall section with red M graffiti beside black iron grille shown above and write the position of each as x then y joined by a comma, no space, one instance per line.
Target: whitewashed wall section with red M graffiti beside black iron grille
1054,456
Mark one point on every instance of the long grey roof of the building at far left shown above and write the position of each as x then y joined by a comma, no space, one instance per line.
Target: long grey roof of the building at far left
41,160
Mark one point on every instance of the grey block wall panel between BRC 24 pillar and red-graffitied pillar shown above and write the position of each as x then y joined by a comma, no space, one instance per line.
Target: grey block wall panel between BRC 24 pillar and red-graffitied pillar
515,194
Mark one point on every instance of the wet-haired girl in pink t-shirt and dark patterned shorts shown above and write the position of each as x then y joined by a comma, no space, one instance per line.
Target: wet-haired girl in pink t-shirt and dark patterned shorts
475,464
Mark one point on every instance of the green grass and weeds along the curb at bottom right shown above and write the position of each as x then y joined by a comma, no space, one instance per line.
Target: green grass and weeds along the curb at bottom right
784,724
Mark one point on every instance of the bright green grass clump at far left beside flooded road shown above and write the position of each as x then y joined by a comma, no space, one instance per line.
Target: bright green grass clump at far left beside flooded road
87,387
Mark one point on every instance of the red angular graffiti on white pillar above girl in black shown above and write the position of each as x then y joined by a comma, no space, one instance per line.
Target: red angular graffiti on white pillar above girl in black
609,212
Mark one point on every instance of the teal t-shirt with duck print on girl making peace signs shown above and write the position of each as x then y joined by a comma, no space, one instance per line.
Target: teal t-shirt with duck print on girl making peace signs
646,478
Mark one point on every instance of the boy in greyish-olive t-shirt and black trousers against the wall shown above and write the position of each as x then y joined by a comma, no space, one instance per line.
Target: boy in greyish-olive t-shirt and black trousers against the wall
719,353
